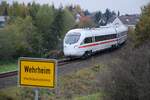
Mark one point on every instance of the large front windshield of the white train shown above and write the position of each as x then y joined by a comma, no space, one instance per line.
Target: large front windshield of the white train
72,38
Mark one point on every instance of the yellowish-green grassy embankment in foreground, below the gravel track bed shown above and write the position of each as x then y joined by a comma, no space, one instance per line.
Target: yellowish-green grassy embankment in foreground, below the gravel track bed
80,85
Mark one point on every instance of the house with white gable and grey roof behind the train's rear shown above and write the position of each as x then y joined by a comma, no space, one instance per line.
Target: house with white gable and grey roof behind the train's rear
128,20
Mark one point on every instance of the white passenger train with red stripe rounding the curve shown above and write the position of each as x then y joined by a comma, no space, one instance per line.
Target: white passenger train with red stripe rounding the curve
84,42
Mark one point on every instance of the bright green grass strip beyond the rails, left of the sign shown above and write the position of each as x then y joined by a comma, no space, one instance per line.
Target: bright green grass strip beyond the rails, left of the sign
8,67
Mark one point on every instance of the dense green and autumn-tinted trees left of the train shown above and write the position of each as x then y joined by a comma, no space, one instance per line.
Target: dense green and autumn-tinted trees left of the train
32,29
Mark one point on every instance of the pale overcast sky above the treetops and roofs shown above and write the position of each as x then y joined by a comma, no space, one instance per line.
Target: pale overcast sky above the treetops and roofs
124,6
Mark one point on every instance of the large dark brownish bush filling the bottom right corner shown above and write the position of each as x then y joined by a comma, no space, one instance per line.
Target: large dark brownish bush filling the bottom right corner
129,75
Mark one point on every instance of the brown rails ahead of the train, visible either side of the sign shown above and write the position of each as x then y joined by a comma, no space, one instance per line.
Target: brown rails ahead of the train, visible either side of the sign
14,73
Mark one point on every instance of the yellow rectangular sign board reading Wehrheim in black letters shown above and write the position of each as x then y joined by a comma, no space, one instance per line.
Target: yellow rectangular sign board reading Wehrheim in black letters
37,72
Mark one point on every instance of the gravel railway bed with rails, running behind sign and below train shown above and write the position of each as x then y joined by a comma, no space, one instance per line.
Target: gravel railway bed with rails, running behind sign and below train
65,66
